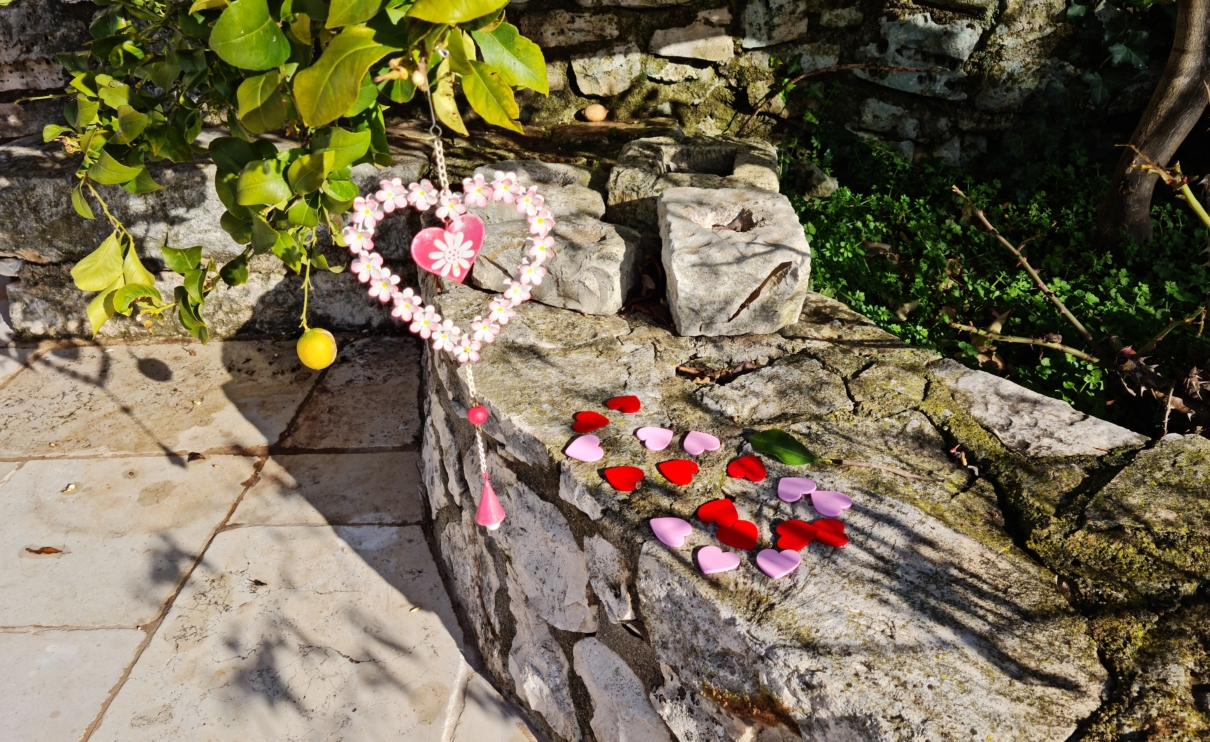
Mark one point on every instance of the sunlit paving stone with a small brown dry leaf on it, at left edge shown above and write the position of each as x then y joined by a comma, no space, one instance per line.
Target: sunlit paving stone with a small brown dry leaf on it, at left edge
126,533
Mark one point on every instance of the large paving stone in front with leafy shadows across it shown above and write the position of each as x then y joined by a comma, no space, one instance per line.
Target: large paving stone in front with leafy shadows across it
299,634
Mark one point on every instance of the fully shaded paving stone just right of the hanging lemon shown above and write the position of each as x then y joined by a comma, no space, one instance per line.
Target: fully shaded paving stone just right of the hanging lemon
368,399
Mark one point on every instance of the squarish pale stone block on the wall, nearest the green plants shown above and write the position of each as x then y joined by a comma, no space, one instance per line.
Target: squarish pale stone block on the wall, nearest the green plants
737,261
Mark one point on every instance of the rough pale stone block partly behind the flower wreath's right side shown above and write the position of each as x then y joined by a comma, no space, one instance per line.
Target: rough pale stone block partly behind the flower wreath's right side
592,272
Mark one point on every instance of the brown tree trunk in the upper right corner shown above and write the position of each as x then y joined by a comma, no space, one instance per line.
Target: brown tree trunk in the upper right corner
1174,110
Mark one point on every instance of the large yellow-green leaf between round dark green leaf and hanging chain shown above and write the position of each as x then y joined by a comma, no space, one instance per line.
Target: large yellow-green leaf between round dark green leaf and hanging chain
327,89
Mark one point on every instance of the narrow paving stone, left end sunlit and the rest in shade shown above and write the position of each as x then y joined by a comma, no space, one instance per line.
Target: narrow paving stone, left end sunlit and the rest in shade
342,490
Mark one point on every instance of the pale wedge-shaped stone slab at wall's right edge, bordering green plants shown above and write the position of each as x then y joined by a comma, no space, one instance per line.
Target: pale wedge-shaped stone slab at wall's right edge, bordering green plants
1029,423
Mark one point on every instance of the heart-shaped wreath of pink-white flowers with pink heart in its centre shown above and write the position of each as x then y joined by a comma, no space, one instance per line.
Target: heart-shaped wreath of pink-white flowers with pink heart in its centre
450,252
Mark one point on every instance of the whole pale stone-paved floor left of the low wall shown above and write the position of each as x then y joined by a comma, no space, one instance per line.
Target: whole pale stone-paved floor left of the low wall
212,543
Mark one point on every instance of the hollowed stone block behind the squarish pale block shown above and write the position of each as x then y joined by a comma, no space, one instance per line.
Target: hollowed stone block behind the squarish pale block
648,168
